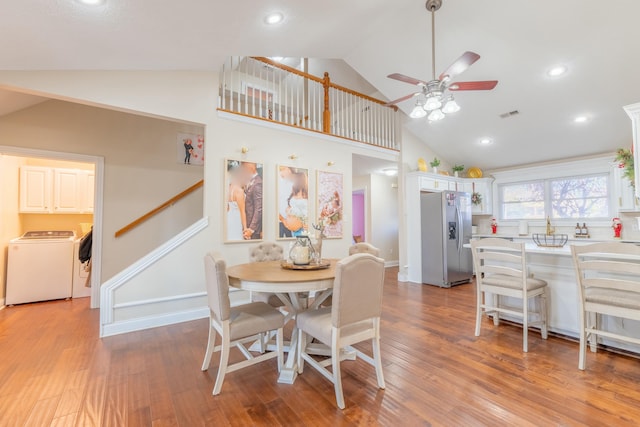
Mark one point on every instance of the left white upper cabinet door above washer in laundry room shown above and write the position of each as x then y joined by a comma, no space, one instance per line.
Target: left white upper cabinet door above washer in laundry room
35,189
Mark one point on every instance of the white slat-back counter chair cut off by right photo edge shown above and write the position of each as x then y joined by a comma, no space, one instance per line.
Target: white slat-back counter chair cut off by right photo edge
608,284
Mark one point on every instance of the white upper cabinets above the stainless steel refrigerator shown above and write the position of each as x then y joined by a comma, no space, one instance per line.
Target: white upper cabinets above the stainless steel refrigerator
432,182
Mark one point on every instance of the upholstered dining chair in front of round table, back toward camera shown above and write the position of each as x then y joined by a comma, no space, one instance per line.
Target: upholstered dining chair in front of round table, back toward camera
354,317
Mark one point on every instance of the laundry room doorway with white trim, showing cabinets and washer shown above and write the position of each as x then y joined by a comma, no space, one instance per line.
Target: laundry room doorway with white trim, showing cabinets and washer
44,194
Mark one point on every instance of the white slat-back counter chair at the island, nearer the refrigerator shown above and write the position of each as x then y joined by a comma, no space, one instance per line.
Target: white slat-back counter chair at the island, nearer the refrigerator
501,270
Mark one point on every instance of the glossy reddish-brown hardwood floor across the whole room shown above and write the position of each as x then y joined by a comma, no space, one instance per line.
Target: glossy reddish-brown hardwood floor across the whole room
54,370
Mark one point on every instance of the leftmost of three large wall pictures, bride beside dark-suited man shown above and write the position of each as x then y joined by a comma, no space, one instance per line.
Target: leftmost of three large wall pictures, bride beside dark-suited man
243,216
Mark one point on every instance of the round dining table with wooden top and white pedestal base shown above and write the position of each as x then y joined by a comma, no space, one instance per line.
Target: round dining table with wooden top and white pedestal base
292,287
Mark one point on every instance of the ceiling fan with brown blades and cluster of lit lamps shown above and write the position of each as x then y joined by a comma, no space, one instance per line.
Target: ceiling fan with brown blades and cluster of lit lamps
433,97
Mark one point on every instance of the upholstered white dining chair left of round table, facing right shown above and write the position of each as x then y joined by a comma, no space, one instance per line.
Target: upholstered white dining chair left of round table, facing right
237,325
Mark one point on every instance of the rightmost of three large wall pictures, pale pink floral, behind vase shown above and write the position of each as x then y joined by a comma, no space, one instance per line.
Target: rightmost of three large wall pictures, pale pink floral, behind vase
330,203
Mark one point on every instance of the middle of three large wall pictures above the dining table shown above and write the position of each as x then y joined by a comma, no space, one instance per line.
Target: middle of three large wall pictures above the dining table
293,201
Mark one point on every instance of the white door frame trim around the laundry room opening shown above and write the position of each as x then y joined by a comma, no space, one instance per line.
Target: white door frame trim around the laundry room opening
98,162
